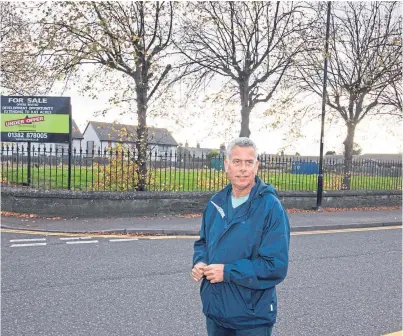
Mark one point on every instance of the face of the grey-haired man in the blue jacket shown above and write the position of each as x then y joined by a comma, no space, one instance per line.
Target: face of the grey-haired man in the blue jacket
242,167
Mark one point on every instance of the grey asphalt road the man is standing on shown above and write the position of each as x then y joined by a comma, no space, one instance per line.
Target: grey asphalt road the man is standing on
338,284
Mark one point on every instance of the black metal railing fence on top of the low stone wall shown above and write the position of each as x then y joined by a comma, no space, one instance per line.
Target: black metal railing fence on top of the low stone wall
116,170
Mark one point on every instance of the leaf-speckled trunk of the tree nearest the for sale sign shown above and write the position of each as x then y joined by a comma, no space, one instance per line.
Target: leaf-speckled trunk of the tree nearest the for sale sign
142,136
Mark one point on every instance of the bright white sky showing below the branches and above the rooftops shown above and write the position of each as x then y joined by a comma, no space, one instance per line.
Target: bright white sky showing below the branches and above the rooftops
373,137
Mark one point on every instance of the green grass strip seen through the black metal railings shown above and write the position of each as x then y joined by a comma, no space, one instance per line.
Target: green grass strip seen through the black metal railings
181,180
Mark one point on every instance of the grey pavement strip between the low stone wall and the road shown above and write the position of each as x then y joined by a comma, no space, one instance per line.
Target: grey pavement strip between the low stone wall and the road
179,225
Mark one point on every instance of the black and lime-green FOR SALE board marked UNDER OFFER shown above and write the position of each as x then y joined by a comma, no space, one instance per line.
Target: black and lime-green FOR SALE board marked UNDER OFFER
36,119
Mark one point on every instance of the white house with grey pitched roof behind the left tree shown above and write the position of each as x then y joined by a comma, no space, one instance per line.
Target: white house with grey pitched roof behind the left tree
102,136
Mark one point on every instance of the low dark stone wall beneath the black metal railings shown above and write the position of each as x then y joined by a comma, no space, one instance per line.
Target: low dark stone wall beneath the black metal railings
69,204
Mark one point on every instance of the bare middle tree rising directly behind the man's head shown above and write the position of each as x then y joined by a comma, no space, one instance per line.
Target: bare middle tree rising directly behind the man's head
249,44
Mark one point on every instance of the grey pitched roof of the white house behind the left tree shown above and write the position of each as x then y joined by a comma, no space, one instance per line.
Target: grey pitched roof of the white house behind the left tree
128,133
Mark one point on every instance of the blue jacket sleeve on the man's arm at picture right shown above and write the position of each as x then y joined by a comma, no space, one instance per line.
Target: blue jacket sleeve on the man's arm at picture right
270,266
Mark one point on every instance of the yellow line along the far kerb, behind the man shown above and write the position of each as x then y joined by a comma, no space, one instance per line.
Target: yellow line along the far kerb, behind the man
45,233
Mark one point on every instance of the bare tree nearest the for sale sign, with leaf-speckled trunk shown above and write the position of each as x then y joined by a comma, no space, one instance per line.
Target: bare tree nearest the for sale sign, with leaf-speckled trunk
127,38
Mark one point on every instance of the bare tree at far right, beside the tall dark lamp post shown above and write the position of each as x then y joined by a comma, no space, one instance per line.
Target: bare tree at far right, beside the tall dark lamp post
364,63
